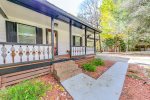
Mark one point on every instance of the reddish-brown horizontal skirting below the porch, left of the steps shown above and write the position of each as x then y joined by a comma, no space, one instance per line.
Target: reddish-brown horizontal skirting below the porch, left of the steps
13,78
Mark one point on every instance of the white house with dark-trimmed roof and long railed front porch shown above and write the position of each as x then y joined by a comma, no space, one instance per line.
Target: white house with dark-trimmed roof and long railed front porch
35,33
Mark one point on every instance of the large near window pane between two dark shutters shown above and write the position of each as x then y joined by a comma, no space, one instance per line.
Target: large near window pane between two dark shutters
26,34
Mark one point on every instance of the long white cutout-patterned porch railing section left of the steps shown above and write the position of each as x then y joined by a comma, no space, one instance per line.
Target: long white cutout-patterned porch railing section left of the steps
17,53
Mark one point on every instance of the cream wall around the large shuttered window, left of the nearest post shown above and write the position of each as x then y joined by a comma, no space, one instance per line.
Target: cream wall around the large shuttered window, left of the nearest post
19,14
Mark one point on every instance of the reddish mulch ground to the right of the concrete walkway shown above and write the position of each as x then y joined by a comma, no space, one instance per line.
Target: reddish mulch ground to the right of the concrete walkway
137,84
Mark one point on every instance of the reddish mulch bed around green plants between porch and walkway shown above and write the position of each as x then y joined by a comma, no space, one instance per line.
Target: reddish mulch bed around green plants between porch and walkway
100,69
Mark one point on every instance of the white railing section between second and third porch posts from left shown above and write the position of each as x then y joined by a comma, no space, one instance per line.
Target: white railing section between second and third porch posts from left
77,51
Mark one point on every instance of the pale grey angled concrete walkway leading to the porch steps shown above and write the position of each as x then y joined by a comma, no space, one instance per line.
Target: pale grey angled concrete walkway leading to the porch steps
106,87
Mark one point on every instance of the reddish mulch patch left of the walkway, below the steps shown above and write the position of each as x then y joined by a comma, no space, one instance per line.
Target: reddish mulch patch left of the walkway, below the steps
57,92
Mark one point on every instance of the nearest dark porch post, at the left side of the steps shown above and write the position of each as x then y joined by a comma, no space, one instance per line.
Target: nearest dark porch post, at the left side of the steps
52,37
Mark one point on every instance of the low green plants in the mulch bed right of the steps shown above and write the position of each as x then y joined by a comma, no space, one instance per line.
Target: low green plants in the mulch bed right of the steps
91,66
